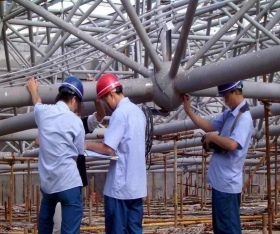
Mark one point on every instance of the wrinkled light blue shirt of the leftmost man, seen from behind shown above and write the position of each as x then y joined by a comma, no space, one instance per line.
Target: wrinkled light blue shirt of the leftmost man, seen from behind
61,137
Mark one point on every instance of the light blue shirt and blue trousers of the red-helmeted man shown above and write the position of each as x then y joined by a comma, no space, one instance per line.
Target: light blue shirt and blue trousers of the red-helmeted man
126,182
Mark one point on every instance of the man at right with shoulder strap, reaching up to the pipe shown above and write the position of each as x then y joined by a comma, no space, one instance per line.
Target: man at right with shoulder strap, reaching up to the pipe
230,148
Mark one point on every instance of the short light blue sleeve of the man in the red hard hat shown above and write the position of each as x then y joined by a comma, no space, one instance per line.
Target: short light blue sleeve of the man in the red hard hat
115,132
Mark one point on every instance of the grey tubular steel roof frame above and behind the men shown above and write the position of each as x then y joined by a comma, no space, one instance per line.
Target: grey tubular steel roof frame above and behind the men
107,37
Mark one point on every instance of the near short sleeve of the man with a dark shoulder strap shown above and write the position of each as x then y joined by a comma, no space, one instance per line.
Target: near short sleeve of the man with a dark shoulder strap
242,131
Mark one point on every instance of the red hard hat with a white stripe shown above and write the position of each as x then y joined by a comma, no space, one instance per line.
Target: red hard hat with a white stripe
106,83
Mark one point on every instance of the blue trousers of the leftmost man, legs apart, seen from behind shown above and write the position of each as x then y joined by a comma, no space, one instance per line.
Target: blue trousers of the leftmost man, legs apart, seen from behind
71,209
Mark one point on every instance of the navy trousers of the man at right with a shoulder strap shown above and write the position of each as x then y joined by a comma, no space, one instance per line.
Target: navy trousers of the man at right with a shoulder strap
225,213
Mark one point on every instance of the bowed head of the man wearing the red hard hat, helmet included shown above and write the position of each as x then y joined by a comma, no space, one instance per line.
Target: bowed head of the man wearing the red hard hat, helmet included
109,89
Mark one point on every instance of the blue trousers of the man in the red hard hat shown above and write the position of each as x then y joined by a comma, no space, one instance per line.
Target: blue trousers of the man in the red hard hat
123,216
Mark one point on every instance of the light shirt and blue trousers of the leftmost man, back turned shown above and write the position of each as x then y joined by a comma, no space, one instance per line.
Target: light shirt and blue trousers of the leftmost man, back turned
61,137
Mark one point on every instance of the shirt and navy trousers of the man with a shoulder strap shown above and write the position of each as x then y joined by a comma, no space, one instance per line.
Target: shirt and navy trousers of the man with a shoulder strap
225,170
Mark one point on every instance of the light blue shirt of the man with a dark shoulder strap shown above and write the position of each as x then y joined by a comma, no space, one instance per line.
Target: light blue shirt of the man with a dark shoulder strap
225,171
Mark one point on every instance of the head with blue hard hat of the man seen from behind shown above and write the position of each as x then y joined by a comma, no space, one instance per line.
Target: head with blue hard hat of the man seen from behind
71,92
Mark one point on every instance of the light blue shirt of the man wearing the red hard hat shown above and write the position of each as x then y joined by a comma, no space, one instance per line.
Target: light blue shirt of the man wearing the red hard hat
126,177
